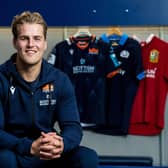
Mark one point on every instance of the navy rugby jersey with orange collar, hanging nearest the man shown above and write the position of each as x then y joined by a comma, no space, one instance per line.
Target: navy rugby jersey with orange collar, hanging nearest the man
85,61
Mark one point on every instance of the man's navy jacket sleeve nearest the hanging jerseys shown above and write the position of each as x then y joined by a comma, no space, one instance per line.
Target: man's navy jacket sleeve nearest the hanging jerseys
68,116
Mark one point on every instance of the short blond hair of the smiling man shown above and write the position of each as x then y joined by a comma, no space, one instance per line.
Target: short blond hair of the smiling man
28,17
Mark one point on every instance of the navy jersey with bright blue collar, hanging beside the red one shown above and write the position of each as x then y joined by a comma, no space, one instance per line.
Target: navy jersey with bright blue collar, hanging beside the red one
122,84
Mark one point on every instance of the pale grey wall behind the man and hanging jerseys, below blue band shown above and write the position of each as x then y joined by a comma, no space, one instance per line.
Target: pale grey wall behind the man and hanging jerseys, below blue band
155,146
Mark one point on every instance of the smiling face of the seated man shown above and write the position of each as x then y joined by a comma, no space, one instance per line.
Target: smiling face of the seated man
30,44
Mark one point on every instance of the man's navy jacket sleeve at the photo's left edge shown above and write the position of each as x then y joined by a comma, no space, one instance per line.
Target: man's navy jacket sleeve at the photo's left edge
9,141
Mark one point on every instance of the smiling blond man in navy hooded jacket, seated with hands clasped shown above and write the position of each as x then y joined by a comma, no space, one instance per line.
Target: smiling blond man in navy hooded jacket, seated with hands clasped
33,96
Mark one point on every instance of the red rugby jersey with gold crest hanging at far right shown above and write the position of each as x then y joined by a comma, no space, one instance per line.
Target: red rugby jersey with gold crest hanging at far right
148,110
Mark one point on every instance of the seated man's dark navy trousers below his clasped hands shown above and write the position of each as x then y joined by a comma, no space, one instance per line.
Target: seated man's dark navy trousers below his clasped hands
81,157
